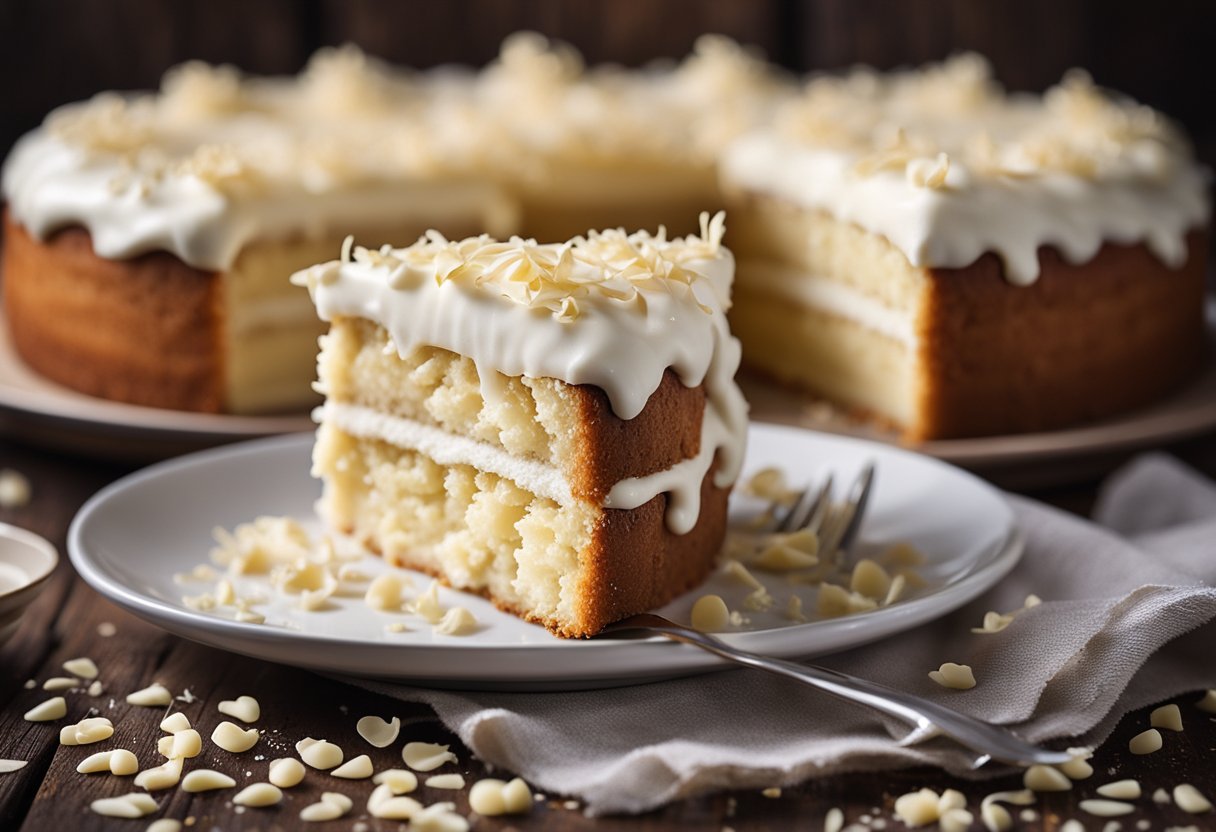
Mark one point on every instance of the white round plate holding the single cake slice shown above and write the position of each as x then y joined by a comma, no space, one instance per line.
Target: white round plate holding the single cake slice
133,537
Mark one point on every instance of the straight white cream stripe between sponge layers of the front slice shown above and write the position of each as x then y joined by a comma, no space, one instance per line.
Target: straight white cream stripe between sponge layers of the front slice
447,448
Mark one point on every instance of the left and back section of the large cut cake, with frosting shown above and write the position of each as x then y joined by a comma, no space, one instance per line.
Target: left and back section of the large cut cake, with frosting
150,237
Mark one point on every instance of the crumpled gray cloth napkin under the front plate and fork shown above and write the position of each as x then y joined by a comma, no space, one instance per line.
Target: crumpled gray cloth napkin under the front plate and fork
1127,621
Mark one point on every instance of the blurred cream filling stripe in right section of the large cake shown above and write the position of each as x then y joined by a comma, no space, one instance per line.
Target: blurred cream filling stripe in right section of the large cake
832,297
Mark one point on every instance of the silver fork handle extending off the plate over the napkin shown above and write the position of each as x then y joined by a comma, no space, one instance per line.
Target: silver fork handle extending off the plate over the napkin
975,734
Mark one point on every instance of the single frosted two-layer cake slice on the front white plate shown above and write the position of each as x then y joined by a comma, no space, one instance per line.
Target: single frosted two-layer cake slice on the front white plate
555,426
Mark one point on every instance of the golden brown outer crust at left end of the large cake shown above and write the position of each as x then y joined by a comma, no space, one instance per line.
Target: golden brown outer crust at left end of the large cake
147,330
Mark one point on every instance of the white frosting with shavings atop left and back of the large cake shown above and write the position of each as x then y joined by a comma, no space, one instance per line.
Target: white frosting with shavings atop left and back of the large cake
215,160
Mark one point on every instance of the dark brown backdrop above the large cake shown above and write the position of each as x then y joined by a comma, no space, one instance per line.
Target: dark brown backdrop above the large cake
1162,53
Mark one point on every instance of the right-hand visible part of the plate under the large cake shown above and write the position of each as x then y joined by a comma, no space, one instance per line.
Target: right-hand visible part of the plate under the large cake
1028,460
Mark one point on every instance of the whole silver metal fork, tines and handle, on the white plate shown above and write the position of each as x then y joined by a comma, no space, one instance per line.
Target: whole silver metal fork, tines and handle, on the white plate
837,529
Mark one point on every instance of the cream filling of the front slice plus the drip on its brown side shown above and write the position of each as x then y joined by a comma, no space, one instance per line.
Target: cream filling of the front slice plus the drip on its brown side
682,482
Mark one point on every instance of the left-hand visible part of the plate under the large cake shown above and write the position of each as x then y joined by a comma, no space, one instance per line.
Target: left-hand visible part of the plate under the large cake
38,407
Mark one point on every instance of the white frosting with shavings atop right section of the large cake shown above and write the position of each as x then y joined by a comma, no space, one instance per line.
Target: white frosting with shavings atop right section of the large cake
948,167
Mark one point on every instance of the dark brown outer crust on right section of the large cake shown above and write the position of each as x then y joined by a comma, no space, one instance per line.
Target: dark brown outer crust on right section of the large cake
1082,344
